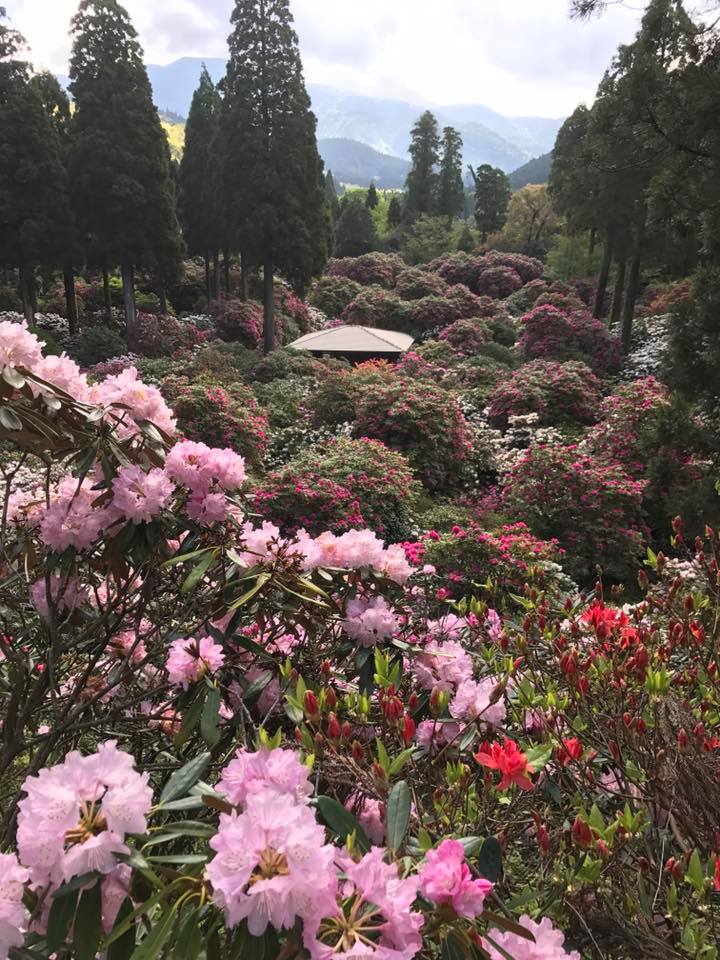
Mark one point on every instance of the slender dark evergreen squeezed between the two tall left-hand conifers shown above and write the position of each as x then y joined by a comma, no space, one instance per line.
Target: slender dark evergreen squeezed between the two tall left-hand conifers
198,207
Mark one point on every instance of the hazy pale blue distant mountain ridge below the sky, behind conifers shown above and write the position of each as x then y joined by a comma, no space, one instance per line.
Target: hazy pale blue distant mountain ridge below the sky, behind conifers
382,124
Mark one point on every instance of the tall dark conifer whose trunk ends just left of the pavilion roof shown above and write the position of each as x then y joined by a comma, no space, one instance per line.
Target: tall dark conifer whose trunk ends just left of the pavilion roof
274,181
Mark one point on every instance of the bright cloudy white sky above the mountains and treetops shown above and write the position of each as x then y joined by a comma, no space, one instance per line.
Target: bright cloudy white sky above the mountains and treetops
517,56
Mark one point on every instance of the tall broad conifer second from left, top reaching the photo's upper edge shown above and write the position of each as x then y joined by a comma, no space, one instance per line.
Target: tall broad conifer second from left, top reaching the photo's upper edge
120,169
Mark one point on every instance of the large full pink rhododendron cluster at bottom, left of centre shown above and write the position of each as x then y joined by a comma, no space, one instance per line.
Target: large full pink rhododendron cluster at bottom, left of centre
272,864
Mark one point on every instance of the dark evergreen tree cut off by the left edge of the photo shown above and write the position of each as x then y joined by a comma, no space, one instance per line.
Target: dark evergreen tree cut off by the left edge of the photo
34,207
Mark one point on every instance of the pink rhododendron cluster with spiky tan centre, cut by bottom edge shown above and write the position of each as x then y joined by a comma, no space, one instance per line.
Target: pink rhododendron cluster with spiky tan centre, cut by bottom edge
374,917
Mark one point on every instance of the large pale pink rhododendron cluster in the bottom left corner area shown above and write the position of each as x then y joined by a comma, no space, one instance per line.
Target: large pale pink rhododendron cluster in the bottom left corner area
75,815
